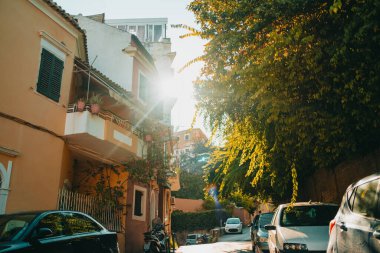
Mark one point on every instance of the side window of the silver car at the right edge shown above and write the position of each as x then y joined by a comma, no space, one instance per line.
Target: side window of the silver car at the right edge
365,201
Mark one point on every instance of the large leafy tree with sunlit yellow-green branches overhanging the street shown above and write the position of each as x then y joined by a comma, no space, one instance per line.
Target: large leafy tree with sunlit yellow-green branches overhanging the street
293,87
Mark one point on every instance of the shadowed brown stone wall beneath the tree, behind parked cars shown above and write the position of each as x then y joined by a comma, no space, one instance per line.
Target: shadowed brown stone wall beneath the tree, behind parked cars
330,185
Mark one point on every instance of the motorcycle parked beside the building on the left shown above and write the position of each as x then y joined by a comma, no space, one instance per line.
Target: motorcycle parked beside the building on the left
155,241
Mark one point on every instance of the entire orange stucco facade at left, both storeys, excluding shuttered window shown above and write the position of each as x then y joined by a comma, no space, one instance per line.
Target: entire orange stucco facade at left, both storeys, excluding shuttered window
37,170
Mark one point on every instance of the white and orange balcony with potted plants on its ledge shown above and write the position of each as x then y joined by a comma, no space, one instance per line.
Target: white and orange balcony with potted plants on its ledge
103,135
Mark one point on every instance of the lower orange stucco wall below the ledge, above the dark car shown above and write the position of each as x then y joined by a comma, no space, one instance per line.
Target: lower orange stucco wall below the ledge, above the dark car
36,172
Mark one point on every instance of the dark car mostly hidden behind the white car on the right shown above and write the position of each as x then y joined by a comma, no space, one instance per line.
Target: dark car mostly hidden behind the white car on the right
259,235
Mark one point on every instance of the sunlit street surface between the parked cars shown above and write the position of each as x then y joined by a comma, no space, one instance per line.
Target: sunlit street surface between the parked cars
230,243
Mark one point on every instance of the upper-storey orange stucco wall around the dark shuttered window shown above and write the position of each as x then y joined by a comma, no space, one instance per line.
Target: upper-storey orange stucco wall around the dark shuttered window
21,23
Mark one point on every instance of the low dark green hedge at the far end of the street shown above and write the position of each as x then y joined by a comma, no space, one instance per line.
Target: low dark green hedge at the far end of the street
197,221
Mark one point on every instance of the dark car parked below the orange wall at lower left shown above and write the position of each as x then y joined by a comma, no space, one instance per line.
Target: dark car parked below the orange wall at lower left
55,231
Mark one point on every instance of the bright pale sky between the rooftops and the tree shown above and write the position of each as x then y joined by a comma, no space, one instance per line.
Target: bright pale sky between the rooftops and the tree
186,49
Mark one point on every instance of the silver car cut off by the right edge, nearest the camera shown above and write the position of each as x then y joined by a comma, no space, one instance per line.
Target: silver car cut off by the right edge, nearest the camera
356,226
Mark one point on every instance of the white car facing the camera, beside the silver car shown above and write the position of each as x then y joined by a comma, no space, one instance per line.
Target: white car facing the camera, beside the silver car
301,227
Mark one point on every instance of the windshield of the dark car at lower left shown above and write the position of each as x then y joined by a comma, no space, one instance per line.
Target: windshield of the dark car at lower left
12,225
